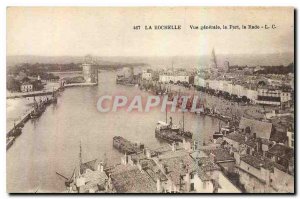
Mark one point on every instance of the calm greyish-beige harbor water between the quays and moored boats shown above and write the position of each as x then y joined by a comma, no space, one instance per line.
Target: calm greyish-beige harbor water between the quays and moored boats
50,143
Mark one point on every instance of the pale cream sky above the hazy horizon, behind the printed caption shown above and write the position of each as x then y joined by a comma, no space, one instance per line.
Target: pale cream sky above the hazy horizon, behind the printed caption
77,31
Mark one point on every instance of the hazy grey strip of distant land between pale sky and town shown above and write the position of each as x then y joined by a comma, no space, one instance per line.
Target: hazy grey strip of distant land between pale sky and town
271,59
